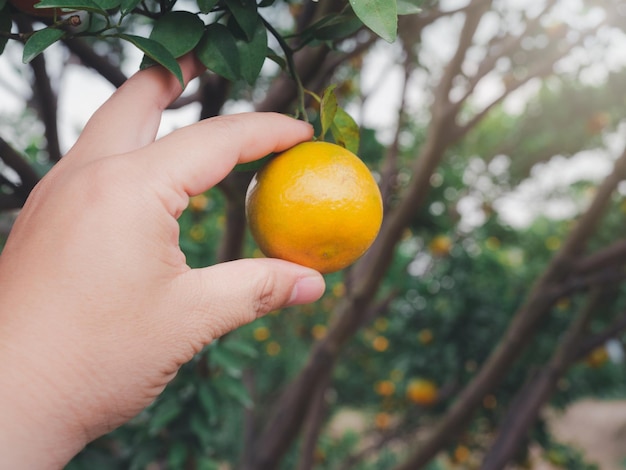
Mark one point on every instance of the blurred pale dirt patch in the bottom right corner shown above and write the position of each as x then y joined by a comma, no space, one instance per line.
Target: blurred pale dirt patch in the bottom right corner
596,427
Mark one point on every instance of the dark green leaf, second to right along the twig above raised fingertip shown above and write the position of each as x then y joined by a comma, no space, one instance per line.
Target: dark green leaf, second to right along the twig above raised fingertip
218,52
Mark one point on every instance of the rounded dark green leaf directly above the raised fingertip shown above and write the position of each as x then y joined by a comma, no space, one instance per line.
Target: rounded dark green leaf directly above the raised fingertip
178,31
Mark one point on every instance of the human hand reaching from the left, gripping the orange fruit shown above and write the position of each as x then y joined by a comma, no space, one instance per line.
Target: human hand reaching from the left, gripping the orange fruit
98,308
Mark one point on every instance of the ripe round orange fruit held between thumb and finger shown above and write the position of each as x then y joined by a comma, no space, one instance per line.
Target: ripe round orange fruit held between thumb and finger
315,204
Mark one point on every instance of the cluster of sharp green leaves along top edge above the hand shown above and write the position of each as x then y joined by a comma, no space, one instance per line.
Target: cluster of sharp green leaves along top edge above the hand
231,35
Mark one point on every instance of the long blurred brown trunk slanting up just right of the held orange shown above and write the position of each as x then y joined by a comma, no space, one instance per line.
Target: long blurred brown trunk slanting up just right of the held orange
365,277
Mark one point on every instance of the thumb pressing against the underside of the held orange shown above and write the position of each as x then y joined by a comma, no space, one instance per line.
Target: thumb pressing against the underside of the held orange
220,298
